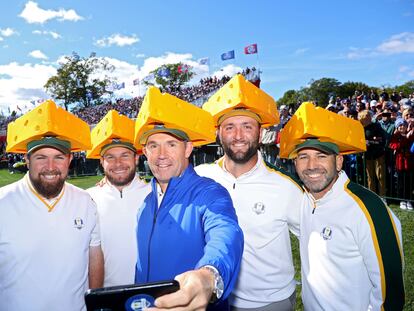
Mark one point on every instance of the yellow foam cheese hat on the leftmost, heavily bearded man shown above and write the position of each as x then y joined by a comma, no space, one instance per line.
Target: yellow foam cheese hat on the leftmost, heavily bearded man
48,120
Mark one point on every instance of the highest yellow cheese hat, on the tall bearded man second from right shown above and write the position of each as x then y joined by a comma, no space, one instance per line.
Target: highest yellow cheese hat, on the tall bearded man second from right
240,97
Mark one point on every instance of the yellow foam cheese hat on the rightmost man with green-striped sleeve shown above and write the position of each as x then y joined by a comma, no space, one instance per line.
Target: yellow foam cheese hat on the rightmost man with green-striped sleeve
315,122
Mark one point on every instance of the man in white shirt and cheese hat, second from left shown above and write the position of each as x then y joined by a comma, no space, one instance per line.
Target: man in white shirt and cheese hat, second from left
118,198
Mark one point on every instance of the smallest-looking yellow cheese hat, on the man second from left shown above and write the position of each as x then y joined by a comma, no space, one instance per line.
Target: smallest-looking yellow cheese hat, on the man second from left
114,130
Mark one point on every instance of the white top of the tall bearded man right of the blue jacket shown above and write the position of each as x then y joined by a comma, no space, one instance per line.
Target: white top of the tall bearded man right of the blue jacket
267,204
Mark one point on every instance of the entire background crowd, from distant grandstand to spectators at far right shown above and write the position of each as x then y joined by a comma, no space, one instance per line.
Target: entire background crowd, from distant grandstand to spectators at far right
388,119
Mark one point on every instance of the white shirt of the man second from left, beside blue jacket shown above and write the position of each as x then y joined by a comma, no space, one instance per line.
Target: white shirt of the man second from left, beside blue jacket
117,211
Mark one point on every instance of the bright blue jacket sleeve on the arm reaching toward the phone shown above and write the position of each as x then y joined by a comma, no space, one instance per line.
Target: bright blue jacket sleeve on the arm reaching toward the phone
223,236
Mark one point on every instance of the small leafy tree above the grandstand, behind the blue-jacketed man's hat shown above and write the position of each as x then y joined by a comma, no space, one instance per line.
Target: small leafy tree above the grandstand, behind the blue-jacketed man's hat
172,76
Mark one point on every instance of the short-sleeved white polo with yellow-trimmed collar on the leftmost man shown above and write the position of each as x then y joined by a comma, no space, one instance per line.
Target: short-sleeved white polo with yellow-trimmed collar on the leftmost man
44,255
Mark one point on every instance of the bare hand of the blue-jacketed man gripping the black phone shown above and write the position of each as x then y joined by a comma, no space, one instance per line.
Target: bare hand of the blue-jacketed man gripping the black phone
196,288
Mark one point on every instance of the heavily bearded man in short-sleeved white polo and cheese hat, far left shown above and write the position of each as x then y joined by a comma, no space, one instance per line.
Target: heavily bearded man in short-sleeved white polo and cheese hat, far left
49,236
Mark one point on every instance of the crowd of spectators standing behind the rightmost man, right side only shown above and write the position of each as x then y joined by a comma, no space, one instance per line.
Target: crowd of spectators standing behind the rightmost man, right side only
388,122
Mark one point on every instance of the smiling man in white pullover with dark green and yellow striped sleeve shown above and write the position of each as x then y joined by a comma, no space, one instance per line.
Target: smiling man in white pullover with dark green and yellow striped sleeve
350,241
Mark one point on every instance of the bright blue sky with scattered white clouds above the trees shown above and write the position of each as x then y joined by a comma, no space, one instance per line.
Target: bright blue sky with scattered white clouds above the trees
362,41
